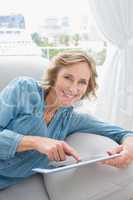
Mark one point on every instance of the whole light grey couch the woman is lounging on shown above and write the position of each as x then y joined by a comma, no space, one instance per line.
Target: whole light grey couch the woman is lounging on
92,182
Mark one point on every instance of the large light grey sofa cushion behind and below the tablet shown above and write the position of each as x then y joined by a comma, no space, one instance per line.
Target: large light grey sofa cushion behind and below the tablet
92,181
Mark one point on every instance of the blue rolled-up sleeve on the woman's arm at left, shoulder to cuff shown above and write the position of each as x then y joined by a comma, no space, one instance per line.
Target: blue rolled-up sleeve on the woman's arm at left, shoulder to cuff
14,99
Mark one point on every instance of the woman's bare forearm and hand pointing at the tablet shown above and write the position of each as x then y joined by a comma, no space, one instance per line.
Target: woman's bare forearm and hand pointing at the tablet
54,149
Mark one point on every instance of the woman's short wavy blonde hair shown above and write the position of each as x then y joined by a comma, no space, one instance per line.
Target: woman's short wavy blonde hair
65,59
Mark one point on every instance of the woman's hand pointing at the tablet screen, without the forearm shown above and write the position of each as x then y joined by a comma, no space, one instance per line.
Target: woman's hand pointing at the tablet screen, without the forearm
55,149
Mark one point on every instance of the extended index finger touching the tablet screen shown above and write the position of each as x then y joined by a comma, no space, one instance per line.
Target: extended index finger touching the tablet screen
71,152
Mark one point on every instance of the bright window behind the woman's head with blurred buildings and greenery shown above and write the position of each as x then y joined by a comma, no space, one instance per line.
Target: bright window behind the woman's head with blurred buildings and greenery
57,25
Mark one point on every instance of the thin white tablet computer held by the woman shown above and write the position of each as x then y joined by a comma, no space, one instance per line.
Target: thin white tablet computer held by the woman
55,166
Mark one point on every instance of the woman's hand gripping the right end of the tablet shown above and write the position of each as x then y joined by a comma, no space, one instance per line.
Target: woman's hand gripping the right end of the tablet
127,154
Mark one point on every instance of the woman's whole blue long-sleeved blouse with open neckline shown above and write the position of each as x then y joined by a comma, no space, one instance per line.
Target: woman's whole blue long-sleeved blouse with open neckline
22,106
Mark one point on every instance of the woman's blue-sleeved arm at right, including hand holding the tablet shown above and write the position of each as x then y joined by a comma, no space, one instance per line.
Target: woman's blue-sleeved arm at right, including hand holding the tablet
88,124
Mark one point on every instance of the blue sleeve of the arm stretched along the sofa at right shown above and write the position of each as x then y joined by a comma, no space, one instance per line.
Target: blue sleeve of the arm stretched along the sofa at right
81,122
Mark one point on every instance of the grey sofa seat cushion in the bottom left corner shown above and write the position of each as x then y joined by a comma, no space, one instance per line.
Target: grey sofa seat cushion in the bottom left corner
29,189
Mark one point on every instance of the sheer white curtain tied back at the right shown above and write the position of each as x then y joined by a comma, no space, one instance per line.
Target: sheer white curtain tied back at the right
115,97
